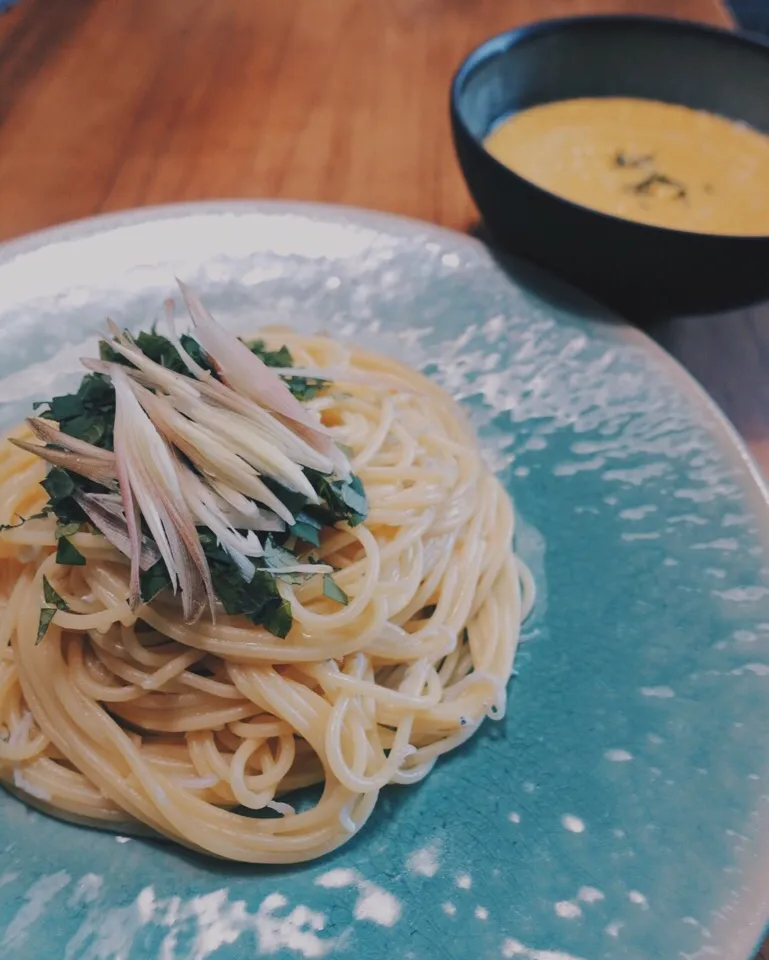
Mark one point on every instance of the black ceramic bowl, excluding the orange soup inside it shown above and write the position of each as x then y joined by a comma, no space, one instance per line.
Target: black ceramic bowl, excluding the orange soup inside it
643,271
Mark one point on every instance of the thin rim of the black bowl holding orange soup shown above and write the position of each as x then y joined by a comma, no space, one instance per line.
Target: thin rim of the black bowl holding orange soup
501,43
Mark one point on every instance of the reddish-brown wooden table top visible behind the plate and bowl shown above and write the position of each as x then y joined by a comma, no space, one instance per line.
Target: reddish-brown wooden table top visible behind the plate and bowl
107,104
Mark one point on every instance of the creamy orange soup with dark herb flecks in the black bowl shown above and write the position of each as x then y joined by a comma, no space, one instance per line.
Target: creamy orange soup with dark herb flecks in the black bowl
653,162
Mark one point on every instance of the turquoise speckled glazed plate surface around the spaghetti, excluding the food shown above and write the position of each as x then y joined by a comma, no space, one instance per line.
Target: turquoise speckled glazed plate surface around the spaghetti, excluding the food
620,810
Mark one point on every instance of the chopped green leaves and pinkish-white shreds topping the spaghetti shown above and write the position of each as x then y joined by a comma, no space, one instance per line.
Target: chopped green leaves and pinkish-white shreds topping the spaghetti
200,465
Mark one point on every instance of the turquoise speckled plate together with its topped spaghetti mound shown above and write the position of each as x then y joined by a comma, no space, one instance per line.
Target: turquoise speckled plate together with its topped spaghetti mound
364,596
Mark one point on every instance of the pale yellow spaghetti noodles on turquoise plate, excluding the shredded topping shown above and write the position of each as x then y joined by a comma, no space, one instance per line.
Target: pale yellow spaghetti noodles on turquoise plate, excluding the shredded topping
138,719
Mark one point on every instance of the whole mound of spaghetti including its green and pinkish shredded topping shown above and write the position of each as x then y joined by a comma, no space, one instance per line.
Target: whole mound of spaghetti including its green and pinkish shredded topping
249,568
